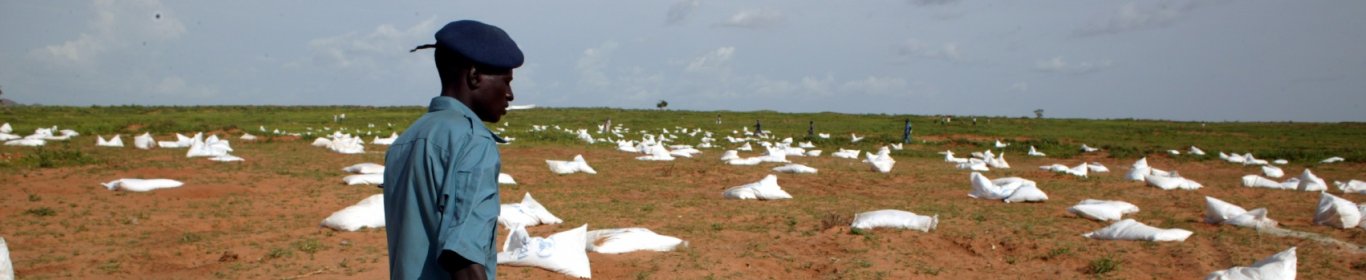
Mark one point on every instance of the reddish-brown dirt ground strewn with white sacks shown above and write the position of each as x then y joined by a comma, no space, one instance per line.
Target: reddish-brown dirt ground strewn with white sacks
260,219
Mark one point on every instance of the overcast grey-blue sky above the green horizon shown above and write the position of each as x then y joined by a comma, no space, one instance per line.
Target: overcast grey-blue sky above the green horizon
1181,59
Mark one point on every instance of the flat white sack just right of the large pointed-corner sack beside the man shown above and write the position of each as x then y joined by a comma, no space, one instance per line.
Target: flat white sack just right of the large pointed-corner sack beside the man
617,241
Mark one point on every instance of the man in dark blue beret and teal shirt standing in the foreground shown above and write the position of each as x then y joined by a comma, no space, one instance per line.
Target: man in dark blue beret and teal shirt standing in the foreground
441,181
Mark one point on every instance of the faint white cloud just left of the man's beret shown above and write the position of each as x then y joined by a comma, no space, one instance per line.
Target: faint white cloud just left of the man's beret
365,51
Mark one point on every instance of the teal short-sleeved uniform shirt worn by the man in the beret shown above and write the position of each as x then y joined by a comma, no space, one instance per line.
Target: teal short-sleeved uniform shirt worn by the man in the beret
442,192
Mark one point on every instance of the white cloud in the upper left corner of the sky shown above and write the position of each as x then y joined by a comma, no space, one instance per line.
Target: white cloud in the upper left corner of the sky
114,27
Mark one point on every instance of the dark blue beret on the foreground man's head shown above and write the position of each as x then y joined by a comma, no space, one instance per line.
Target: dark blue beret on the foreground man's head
484,44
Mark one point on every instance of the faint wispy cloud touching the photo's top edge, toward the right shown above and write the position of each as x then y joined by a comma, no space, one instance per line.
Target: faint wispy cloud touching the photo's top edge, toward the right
1143,16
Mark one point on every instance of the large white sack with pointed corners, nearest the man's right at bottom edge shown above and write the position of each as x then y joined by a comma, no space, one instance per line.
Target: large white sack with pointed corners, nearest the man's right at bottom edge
565,252
